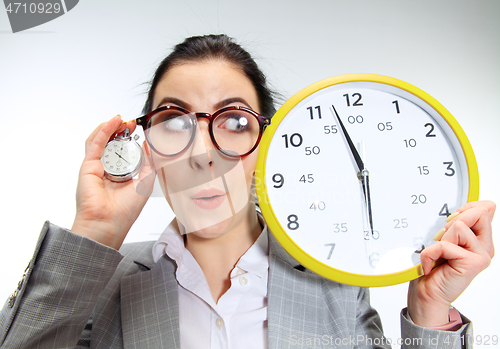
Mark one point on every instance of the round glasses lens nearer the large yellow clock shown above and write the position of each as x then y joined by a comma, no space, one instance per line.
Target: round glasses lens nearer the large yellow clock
236,131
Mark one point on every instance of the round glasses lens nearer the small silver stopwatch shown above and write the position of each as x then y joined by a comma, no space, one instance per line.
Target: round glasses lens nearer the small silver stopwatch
170,131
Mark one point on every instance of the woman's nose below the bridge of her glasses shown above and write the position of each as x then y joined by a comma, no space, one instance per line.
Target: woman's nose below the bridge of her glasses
202,146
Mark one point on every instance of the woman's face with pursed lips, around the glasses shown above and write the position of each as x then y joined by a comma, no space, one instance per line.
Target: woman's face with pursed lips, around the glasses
208,191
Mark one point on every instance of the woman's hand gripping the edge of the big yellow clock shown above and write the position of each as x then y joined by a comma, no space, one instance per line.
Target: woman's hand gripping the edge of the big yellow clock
465,249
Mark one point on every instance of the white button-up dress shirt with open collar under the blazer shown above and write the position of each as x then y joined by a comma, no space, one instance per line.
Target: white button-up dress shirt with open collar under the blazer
239,318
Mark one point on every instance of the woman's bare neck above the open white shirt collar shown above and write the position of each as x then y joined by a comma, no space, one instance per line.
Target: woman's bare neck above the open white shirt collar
218,256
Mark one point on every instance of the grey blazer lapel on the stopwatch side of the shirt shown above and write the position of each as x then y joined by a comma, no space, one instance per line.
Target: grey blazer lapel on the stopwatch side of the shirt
149,307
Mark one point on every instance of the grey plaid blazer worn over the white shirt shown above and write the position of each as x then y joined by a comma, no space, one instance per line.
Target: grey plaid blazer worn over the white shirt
77,293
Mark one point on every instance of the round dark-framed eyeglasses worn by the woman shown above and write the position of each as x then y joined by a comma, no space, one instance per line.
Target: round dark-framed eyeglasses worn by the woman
235,131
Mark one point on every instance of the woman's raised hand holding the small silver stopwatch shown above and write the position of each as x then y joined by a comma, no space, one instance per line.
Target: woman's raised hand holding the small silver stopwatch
106,210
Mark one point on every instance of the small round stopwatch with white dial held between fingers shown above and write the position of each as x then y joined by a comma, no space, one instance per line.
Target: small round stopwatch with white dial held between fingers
121,157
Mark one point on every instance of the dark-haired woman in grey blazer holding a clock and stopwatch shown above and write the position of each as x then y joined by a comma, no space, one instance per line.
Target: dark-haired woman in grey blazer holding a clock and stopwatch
216,277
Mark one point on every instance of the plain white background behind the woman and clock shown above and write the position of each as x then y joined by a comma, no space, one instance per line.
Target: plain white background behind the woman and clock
60,80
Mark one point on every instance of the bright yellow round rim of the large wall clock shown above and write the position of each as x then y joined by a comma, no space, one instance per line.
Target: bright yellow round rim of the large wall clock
274,224
